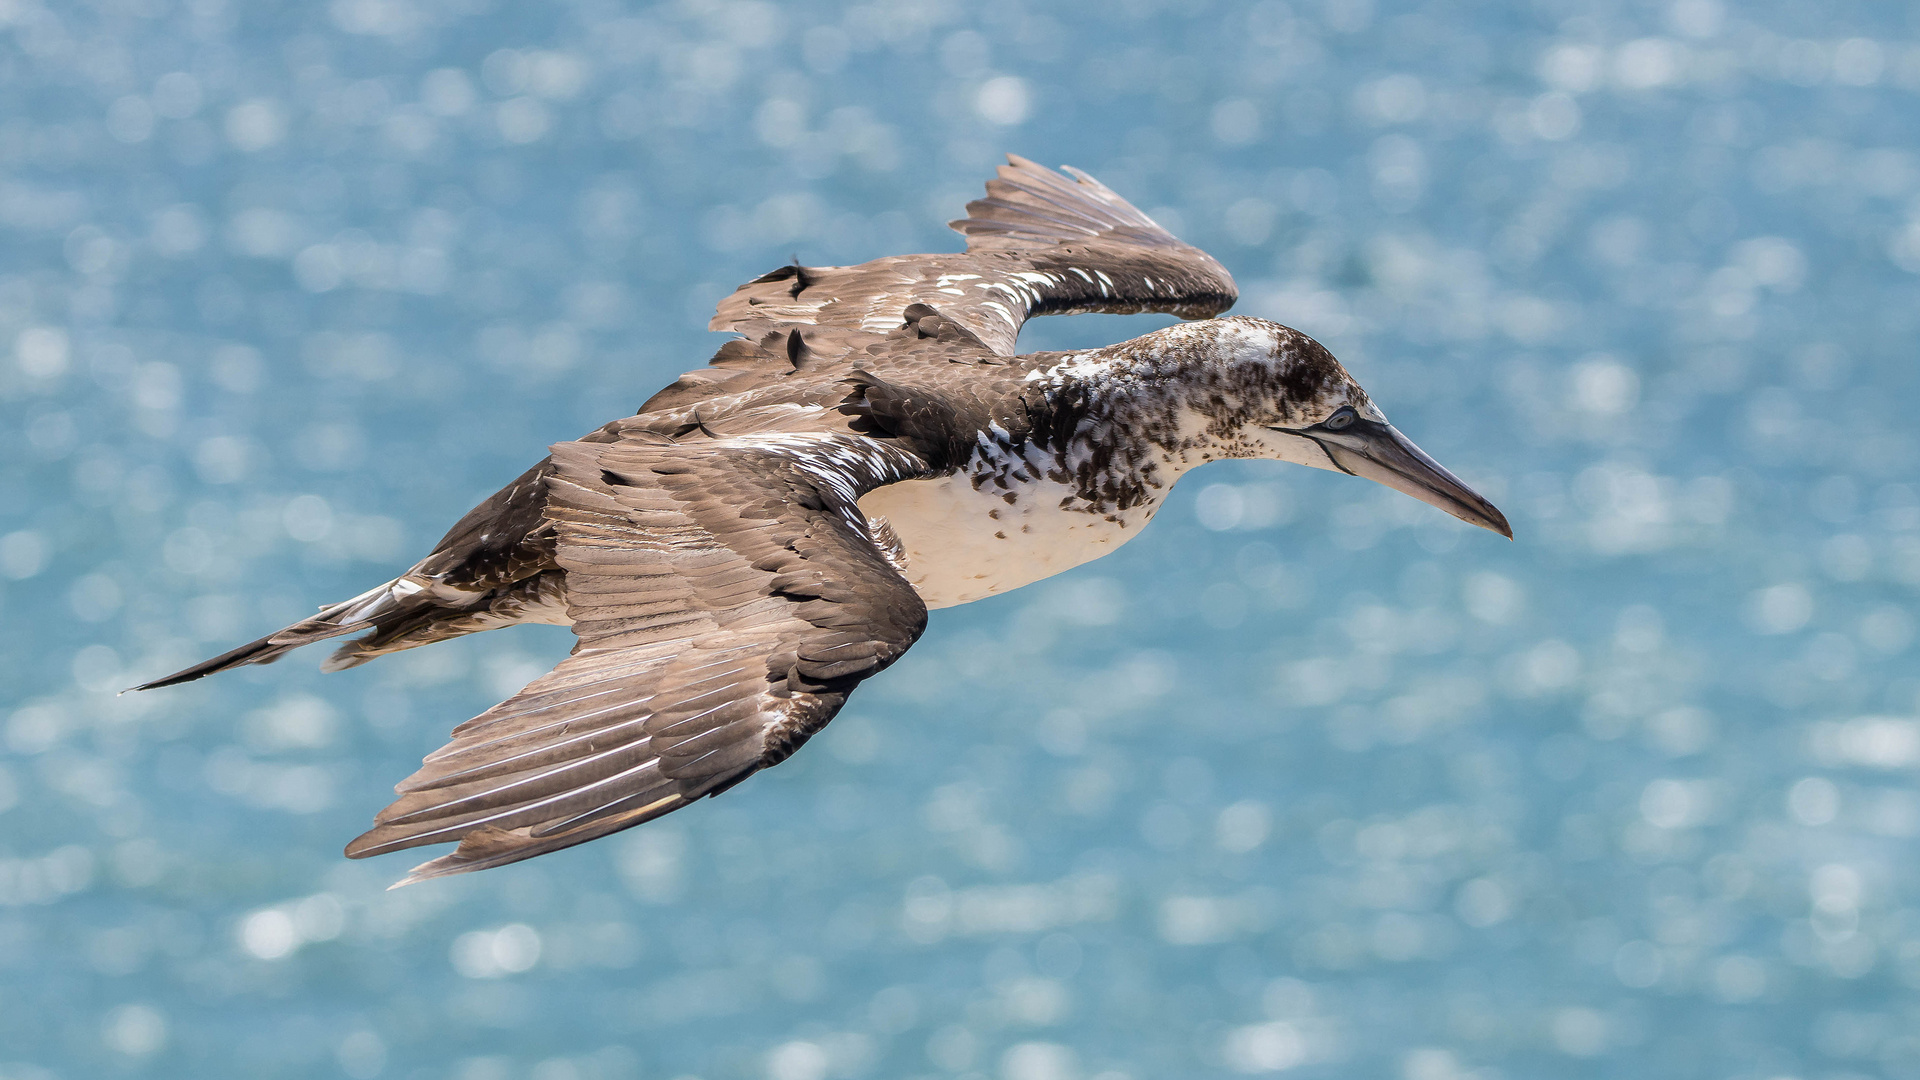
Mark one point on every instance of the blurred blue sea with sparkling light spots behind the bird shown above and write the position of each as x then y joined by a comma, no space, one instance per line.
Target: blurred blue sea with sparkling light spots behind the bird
1310,779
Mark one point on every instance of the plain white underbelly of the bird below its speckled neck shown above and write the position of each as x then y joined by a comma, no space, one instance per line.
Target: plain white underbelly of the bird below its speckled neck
967,545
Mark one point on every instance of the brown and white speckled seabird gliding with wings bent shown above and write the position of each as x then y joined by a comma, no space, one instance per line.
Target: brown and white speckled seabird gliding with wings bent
773,529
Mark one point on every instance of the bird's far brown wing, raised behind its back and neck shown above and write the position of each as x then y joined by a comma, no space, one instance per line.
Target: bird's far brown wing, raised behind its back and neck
1038,245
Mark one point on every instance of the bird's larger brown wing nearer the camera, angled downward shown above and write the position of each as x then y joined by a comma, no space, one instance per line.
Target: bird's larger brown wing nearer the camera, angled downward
727,595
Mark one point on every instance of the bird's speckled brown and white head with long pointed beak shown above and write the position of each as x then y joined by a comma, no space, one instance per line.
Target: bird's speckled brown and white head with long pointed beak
1268,391
